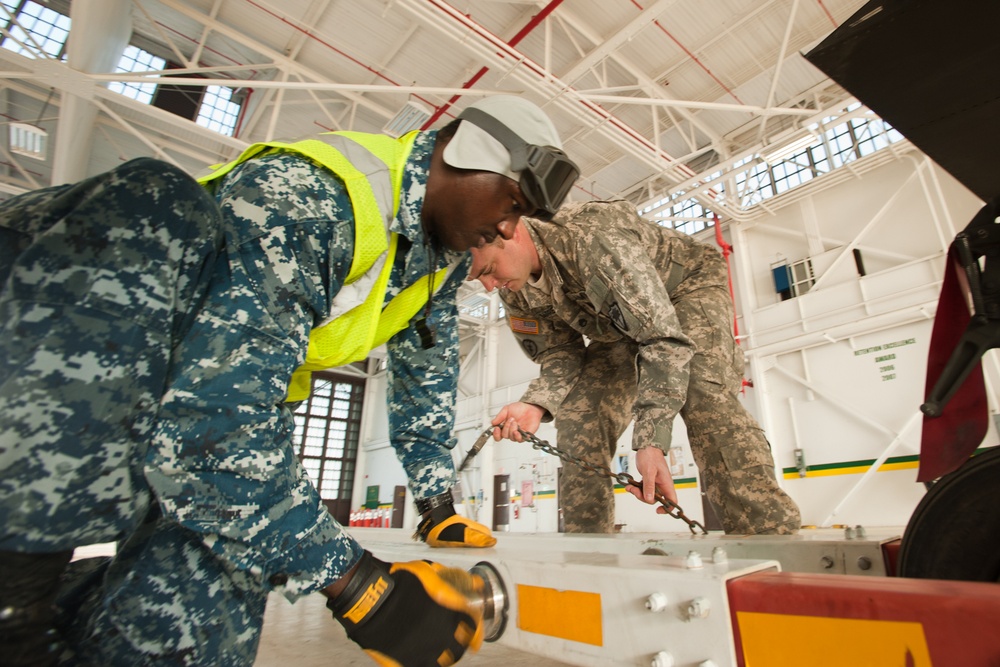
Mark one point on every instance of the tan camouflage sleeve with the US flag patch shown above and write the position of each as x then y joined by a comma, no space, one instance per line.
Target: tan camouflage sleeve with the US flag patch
552,344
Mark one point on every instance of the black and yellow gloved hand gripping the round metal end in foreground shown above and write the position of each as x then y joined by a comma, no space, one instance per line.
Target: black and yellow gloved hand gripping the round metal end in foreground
410,614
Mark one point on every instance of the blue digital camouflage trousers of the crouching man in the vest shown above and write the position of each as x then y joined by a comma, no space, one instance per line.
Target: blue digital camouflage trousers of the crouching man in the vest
99,280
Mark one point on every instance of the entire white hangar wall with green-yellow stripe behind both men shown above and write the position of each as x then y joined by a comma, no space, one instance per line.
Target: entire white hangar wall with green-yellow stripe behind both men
837,373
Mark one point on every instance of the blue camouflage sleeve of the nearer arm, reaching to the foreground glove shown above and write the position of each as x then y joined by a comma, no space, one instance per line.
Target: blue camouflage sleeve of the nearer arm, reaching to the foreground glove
222,460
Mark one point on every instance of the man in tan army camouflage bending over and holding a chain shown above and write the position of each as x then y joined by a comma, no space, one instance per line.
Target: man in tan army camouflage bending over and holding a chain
655,306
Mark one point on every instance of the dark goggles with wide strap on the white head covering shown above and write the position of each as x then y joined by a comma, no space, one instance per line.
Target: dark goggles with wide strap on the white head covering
546,172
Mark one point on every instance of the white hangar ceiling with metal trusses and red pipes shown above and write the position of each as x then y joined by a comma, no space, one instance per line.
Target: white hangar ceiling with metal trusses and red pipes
647,94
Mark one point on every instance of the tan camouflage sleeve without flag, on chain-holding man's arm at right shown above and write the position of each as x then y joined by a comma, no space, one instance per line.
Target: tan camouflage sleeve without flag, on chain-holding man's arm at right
624,285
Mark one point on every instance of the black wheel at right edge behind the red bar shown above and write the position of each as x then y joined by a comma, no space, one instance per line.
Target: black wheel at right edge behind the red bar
954,532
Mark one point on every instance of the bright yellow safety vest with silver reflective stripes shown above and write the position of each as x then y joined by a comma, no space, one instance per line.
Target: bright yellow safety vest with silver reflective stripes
371,167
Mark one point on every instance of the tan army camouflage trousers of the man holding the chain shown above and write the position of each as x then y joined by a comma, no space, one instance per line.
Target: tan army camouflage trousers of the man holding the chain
733,456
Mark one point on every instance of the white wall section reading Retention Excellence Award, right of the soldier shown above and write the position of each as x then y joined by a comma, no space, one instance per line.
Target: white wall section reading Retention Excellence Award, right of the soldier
839,372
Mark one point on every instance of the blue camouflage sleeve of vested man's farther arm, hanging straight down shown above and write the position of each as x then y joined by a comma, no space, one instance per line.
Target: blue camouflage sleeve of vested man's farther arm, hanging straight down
421,394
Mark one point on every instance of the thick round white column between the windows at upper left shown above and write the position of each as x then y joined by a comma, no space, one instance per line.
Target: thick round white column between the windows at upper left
98,36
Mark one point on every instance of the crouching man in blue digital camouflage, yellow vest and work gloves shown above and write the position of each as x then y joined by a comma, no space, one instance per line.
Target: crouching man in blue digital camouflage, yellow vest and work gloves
154,329
